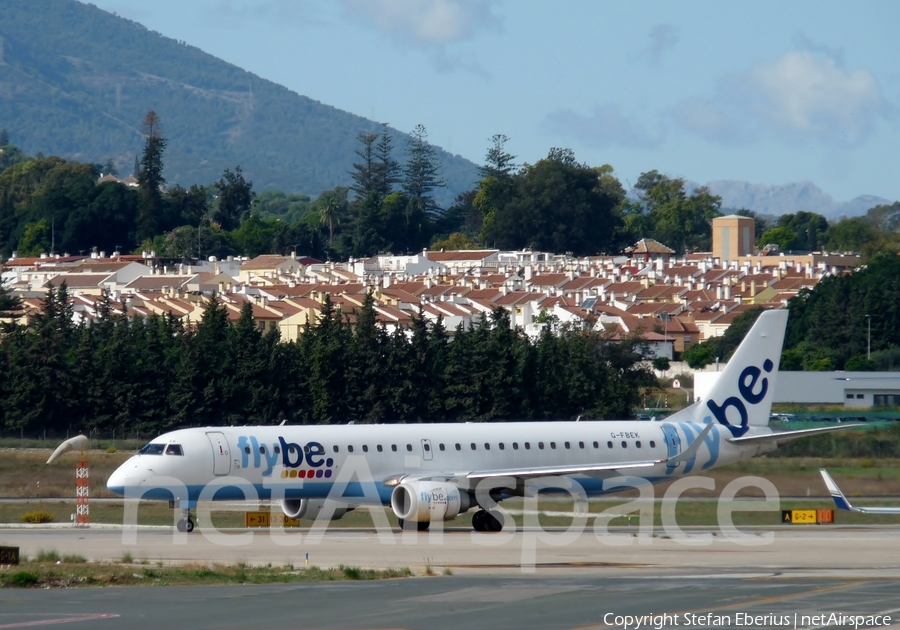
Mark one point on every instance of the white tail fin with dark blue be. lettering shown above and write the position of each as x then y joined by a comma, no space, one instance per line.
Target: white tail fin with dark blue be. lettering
742,395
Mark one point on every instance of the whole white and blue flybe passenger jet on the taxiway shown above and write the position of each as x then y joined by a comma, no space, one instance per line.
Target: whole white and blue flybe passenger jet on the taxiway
434,472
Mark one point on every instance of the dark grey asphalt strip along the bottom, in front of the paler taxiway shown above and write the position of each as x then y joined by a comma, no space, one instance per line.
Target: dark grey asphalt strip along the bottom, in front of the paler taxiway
540,602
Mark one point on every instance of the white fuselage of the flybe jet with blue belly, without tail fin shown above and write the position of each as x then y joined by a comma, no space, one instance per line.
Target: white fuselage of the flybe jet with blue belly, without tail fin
296,462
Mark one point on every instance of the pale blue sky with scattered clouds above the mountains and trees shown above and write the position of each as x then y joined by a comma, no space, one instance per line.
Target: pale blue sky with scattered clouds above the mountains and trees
765,92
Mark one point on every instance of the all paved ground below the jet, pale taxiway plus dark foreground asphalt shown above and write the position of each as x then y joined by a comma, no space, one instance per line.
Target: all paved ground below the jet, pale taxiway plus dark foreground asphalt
527,580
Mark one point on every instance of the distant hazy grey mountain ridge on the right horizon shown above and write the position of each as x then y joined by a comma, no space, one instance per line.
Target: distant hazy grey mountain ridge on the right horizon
788,199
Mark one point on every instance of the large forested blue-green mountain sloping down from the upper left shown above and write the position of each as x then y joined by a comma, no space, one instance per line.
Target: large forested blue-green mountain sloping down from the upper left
76,81
